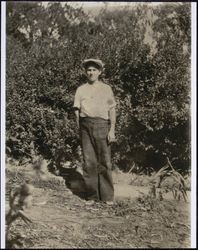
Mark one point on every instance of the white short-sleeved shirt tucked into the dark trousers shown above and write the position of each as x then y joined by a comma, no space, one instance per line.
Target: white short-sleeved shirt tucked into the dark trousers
94,100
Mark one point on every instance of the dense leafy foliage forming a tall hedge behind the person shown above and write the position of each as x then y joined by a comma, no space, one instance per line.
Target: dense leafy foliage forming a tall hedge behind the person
146,50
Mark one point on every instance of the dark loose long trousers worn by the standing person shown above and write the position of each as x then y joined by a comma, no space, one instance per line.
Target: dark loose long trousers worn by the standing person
97,159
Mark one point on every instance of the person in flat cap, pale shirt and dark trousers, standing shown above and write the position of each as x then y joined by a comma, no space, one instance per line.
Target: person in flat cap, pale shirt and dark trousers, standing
94,105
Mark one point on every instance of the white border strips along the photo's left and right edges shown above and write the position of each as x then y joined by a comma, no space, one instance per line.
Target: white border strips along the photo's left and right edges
193,121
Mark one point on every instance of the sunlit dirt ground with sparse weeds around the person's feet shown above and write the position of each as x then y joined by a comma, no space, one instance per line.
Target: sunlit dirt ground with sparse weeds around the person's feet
61,219
